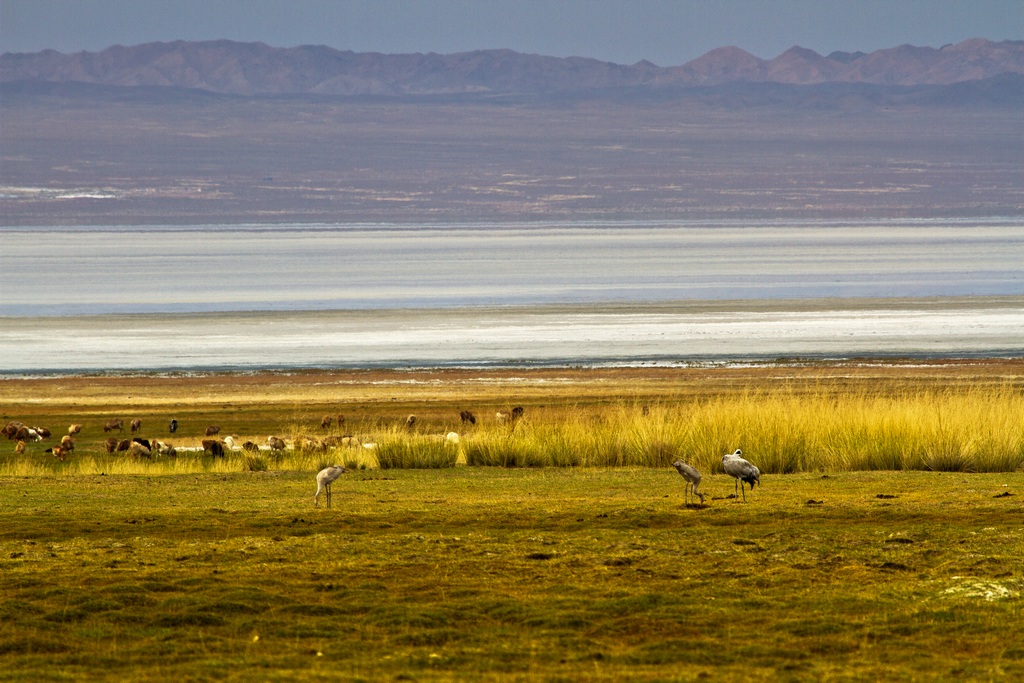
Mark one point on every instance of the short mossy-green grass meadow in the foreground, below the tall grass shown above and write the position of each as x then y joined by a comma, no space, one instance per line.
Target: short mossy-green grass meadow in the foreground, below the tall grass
501,574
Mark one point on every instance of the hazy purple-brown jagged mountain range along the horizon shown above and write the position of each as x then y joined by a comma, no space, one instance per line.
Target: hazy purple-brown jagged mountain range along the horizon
254,69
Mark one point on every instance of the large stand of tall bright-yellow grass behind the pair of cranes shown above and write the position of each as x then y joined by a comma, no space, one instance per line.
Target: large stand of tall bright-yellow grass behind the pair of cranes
781,432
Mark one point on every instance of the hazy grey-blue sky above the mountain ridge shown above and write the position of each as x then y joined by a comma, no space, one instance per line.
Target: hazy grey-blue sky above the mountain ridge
666,32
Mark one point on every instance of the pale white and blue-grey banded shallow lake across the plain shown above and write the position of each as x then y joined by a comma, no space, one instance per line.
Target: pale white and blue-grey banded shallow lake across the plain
306,296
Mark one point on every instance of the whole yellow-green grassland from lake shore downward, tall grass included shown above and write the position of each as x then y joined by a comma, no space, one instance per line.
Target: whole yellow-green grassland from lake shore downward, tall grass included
203,569
